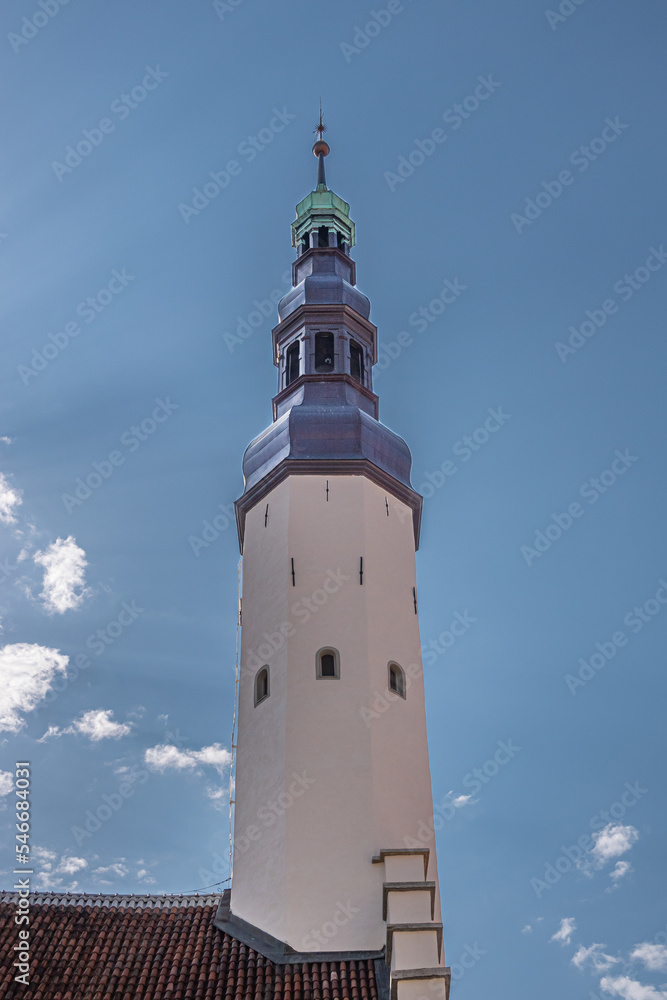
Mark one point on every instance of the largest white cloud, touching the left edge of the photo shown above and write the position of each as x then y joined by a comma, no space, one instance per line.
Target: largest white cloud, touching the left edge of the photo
28,672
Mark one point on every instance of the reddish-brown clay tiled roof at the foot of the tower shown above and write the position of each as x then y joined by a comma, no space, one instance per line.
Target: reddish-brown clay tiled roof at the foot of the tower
101,947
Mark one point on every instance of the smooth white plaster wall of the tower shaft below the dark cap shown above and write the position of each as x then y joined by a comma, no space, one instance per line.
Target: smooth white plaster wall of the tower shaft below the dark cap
306,877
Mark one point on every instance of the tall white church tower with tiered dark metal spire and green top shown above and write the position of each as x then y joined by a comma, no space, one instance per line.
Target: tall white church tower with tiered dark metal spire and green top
332,769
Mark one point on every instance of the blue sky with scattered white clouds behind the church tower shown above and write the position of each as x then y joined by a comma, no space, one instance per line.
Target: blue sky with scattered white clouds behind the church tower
540,200
